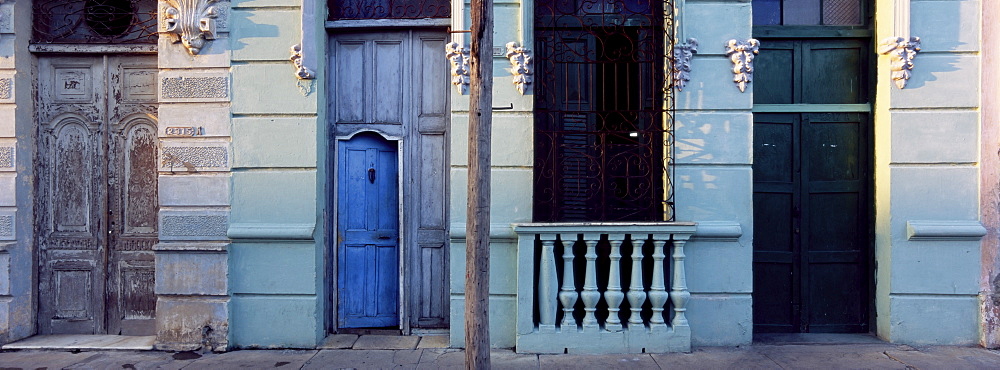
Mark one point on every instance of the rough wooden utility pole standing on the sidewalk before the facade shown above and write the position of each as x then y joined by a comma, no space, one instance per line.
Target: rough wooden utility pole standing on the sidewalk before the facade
477,257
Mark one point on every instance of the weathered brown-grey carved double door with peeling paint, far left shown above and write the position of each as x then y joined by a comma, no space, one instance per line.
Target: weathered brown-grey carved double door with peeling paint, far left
96,202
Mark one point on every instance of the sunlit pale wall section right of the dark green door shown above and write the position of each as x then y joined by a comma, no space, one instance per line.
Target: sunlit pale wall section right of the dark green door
927,168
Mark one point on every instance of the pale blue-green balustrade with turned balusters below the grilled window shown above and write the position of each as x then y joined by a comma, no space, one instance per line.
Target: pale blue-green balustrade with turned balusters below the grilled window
601,330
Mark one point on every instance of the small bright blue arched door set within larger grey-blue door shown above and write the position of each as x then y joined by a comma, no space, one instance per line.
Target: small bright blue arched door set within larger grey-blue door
368,233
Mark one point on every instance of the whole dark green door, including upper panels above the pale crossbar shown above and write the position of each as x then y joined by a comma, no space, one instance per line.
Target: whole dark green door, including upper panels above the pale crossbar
811,186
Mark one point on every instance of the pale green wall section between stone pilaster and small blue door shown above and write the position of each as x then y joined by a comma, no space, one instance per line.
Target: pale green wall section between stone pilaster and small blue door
276,274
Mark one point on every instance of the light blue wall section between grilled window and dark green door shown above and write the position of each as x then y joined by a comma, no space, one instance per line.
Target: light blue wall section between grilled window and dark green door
712,177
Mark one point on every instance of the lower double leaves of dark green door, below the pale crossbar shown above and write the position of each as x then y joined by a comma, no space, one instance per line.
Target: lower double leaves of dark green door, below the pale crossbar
811,212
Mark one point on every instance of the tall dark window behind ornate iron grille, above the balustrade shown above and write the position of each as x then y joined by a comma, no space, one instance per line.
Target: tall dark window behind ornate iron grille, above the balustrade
603,111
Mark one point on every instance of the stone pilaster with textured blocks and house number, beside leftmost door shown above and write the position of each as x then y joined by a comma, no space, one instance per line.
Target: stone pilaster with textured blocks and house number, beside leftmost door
194,84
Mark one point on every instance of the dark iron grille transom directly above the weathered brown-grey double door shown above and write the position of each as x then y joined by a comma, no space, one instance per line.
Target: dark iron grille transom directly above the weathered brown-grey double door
95,21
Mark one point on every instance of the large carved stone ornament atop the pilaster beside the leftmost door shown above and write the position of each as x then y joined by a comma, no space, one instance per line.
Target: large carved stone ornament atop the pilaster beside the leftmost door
191,22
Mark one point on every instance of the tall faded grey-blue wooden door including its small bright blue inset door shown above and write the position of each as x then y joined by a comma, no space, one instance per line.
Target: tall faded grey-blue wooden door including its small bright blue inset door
388,119
